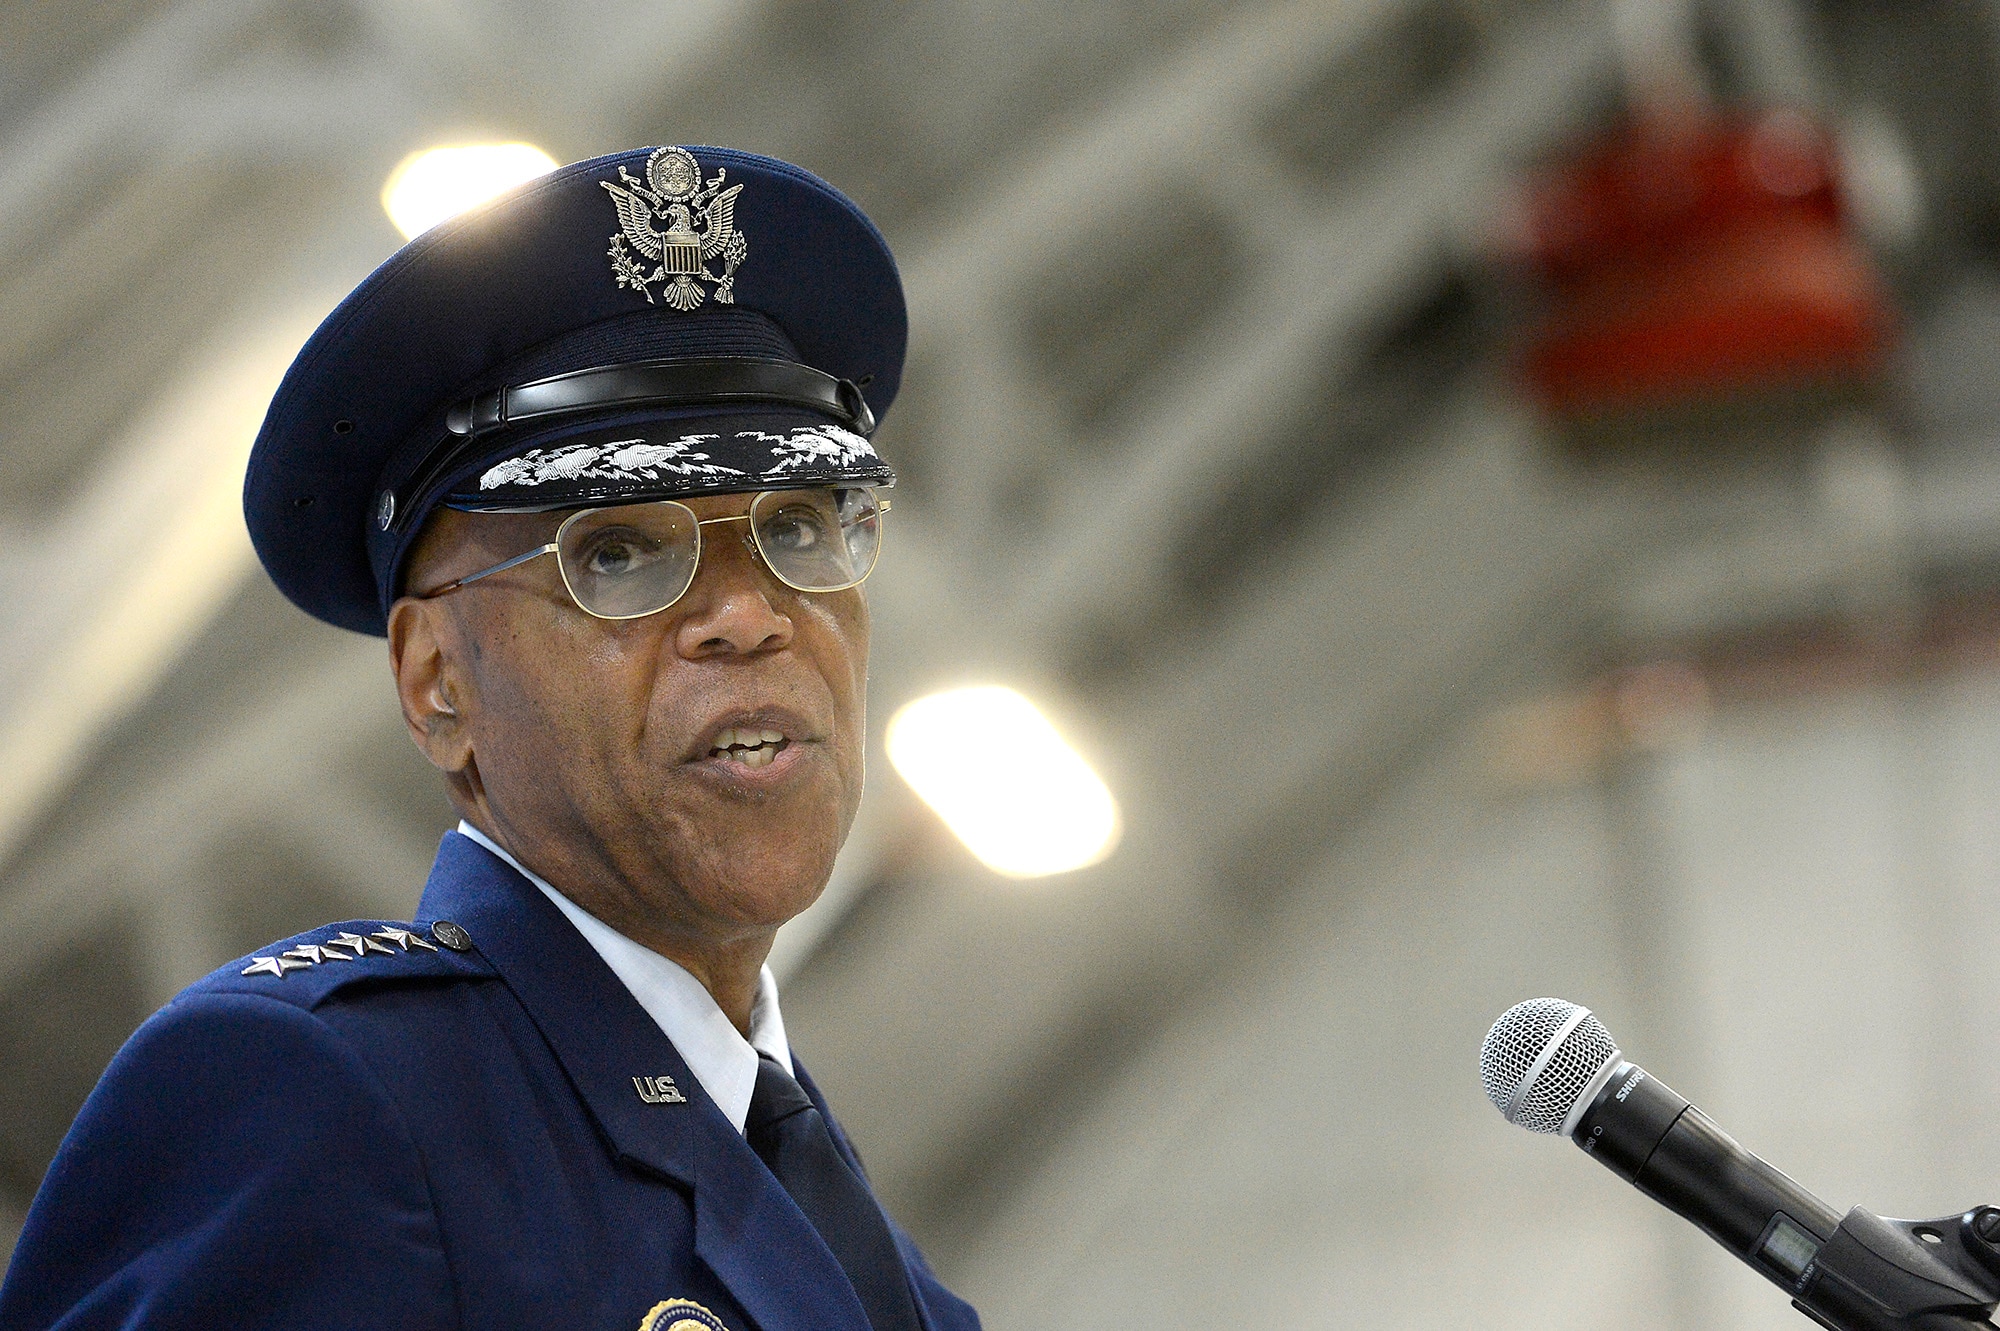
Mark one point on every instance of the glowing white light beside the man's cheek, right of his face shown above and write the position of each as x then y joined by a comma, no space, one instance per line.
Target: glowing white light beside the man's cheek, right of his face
999,774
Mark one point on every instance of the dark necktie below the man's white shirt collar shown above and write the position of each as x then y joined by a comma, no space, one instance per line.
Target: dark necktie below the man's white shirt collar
791,1136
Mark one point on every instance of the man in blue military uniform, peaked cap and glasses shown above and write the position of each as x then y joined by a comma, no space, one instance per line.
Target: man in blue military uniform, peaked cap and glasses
595,461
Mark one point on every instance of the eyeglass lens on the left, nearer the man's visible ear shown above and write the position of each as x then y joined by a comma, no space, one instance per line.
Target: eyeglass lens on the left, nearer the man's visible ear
629,561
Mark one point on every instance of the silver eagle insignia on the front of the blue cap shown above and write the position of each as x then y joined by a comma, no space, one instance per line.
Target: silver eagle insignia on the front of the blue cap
681,225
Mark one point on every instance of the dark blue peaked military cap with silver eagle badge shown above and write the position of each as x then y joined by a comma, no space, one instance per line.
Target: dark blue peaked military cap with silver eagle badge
657,323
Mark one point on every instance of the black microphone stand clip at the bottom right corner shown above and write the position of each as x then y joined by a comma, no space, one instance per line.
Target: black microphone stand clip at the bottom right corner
1905,1276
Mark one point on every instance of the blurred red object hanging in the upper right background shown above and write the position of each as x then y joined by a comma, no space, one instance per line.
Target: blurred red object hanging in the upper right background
1693,259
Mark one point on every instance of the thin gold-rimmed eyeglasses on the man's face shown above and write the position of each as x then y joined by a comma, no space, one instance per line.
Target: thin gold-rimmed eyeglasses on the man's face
639,559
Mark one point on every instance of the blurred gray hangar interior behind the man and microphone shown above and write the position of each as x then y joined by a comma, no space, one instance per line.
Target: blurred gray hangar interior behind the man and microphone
1209,447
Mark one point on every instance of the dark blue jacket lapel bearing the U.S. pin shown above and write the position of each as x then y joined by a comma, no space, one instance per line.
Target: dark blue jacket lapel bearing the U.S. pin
747,1228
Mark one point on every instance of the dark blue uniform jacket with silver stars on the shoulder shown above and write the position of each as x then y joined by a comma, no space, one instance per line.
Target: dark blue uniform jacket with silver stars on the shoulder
423,1140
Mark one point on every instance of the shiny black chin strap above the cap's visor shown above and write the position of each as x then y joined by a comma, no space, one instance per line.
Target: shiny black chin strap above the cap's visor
715,381
